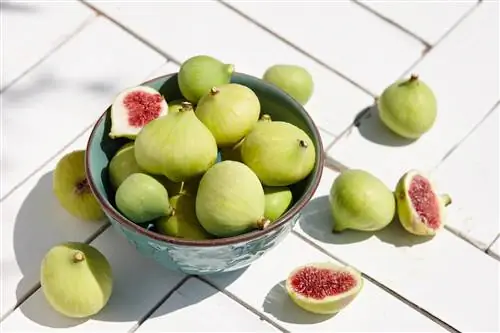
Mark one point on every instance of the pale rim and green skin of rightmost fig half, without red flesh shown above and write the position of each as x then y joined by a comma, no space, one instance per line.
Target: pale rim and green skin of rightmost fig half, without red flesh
408,217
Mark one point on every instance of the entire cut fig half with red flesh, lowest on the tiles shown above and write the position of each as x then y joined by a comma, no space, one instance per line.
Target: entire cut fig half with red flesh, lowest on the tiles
323,288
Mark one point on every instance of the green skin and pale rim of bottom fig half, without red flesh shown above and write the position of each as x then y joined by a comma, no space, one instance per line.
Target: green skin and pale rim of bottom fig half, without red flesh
329,304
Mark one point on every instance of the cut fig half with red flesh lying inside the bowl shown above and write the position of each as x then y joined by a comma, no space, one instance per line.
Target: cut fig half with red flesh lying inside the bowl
133,108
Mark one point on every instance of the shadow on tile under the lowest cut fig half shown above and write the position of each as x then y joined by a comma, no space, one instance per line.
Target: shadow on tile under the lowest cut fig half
278,304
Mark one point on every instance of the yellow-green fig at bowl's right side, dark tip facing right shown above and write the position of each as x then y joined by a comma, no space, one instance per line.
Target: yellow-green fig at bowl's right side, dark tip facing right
279,153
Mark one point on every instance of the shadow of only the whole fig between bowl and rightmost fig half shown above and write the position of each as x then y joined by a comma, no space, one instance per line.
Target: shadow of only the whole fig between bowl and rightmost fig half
316,221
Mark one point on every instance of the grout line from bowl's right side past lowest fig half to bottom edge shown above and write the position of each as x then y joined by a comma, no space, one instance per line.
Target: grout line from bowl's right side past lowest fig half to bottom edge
393,293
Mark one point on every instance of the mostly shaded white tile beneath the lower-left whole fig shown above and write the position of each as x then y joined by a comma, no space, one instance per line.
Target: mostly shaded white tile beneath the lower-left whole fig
139,284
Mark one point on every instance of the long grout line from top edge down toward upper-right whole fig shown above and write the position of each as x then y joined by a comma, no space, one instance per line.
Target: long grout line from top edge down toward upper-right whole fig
295,47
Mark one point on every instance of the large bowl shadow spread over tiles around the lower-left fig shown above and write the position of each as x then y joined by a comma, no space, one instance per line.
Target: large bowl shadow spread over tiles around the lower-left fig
41,223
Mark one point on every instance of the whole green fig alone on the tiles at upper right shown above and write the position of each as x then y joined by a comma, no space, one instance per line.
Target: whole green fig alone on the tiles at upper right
408,107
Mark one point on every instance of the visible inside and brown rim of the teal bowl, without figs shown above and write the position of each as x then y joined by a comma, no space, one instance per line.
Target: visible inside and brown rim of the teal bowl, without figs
281,107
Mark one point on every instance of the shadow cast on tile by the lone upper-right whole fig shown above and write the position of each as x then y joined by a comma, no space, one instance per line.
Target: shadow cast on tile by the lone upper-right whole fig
373,129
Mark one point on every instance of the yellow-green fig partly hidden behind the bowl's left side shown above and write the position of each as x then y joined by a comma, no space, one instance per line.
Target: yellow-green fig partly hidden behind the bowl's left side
70,187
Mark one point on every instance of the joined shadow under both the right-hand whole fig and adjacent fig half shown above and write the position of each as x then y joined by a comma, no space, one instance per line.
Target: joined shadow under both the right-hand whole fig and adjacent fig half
316,221
